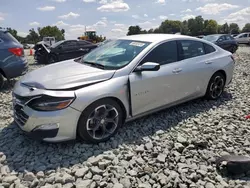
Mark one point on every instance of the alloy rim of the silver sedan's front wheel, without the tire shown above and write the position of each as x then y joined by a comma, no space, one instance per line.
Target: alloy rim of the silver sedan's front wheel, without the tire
102,122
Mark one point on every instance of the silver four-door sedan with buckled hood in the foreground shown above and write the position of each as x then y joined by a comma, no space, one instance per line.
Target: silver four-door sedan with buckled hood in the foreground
119,81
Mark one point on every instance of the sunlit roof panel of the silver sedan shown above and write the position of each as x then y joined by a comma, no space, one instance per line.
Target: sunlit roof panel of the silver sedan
155,37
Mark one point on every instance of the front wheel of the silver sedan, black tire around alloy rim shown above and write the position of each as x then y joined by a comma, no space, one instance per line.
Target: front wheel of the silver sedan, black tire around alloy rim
84,122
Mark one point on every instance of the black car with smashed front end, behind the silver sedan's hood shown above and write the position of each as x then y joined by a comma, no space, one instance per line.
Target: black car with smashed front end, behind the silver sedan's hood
62,50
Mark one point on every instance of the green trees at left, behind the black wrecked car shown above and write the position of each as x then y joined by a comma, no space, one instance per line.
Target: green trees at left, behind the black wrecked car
33,37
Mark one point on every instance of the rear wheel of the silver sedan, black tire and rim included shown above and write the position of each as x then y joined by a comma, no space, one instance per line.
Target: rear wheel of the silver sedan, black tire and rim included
215,86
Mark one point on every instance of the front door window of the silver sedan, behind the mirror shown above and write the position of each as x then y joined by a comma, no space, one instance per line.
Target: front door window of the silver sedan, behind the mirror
163,54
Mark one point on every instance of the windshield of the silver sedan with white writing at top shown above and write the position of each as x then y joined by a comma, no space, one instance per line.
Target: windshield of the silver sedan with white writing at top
115,54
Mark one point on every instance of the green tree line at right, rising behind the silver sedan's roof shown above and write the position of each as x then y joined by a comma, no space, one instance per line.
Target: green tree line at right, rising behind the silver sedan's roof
193,27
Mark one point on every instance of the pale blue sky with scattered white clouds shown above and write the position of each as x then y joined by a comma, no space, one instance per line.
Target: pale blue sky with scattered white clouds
112,17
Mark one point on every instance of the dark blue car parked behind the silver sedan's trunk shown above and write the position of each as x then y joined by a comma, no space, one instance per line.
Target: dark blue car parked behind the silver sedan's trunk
225,41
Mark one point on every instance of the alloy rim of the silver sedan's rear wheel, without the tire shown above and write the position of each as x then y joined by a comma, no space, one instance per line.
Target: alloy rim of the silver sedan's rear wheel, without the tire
217,87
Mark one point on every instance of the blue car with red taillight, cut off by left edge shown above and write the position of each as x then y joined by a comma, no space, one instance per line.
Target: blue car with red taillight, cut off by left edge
13,62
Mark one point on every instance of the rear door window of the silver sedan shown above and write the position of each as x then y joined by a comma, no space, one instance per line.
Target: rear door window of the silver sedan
189,49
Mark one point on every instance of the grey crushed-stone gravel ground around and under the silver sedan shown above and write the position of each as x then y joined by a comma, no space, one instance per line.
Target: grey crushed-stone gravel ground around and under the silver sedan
173,148
